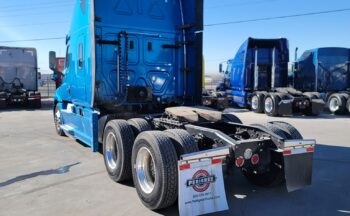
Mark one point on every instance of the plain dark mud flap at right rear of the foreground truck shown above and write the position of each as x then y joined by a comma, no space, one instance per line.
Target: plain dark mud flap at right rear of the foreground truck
298,170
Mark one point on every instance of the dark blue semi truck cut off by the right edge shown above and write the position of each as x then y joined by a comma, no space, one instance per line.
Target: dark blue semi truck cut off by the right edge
326,71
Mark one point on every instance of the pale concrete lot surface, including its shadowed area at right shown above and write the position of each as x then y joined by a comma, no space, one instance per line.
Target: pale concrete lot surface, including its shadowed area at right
44,174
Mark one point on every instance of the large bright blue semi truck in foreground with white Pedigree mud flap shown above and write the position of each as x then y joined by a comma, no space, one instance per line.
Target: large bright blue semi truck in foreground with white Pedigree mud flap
133,82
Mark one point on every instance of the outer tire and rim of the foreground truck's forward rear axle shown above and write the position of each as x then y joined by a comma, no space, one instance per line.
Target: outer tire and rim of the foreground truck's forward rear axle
118,140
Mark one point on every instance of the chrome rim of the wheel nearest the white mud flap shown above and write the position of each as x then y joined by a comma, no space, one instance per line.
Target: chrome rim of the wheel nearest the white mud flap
145,170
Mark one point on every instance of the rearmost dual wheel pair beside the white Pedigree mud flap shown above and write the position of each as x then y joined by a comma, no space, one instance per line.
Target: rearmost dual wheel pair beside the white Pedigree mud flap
154,158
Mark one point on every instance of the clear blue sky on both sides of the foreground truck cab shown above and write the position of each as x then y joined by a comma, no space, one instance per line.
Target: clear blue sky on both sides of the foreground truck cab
23,19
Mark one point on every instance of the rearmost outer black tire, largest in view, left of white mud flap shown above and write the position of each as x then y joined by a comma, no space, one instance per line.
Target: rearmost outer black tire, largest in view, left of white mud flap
164,161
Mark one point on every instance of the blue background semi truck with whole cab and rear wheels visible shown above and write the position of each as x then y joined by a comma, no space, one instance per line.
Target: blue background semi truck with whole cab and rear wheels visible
257,78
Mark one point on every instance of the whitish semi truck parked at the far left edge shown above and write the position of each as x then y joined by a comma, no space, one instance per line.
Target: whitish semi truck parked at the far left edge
19,77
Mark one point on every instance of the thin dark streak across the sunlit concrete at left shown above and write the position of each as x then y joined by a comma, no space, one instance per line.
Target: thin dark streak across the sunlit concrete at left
58,171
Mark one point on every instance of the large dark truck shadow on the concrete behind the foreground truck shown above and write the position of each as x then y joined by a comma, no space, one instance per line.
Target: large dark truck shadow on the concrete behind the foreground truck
328,194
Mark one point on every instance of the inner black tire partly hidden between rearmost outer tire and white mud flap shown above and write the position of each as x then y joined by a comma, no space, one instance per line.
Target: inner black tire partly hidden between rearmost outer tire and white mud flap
183,142
